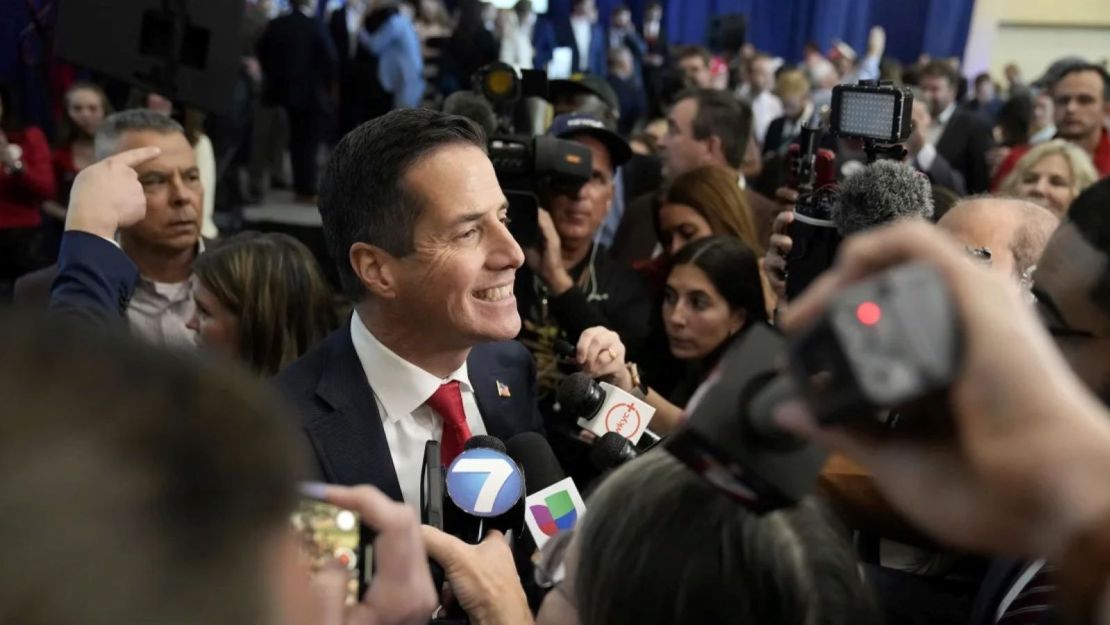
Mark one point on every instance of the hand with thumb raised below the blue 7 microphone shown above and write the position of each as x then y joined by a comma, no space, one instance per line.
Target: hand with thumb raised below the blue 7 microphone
483,578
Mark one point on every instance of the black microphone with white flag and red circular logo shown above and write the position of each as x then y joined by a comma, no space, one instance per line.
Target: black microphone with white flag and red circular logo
603,408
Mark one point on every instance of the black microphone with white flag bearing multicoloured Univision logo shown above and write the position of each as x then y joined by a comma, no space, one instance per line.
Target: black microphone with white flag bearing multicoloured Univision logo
553,502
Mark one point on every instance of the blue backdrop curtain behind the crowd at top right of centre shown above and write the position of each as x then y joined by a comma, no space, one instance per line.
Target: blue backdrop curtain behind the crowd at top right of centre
784,27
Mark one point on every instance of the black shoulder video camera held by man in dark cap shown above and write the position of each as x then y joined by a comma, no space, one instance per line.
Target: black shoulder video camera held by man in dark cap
529,165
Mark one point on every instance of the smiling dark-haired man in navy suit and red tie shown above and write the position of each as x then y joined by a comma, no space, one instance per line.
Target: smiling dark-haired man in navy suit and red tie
417,223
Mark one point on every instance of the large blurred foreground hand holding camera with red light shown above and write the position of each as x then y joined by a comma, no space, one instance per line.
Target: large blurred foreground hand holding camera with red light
1027,467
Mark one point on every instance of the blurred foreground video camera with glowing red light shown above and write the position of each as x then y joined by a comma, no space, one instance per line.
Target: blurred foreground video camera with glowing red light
891,342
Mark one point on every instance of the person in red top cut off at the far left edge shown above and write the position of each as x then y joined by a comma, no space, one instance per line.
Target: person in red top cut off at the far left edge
27,179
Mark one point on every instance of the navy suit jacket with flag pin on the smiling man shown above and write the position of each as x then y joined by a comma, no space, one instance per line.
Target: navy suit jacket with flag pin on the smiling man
329,389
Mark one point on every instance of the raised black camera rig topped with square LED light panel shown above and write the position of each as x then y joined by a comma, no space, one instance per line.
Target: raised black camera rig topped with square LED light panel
880,115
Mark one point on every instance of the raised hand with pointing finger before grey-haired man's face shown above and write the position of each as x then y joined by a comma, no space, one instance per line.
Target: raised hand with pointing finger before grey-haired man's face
107,196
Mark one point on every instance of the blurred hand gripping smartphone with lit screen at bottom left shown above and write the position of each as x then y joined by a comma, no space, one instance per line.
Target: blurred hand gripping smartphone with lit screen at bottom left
402,592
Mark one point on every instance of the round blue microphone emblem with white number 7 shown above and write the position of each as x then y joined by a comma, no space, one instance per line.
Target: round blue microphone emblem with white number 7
485,482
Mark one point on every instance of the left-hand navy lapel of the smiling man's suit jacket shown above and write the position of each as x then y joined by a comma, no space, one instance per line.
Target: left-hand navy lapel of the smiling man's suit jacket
351,441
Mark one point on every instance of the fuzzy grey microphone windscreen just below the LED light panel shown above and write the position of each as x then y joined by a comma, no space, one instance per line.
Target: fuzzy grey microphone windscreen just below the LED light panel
882,193
